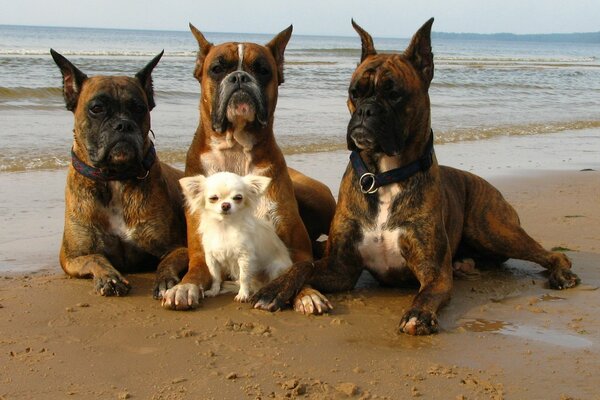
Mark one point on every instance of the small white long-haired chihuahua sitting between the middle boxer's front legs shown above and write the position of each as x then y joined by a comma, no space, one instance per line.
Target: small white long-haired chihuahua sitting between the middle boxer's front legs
237,243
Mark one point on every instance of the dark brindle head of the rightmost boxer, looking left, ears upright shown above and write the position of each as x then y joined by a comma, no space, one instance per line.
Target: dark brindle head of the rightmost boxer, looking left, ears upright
388,96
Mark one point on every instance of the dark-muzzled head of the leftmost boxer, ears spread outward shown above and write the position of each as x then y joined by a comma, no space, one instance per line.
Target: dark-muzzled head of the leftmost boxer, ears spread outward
112,115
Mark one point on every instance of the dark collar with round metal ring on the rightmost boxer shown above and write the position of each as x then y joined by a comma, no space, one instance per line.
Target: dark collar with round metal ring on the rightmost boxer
369,182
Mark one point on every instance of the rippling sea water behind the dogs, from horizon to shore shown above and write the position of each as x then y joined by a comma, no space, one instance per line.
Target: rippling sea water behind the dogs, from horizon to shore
481,89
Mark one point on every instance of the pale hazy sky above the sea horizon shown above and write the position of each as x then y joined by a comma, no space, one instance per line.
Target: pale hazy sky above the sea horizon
383,18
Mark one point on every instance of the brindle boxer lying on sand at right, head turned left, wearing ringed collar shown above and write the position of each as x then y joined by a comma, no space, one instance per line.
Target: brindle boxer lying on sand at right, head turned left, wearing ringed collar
400,215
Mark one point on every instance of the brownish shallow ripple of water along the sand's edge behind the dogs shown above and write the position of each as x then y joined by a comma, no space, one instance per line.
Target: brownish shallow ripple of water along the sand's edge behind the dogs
291,145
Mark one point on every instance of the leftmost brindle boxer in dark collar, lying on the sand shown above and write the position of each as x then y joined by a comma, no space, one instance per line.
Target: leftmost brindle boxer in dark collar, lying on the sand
123,210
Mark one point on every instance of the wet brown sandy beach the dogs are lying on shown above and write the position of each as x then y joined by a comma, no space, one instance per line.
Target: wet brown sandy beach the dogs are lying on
504,335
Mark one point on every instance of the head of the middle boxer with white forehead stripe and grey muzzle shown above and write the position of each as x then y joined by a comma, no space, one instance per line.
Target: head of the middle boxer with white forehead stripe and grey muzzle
239,82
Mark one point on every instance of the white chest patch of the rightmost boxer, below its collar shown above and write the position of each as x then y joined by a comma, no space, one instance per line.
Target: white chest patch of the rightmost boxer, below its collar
380,248
